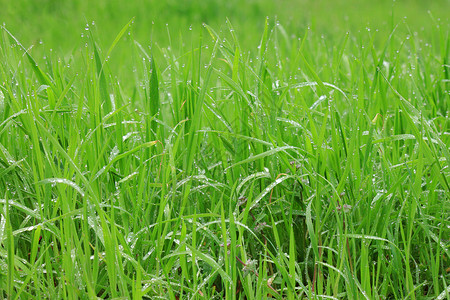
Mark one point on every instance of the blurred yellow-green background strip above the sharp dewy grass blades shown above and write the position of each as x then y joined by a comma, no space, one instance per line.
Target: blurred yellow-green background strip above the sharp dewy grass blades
60,24
